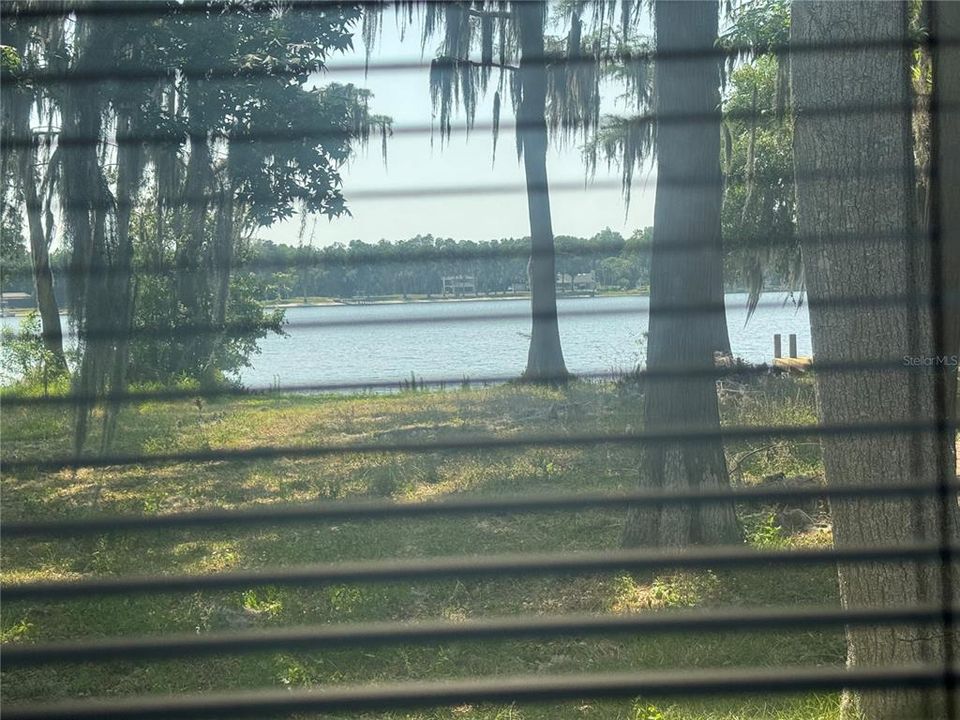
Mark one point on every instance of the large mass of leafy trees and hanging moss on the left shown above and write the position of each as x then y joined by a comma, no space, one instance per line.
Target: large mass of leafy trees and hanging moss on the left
218,174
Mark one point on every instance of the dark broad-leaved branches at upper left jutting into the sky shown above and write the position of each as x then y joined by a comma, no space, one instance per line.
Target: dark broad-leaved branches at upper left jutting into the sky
281,51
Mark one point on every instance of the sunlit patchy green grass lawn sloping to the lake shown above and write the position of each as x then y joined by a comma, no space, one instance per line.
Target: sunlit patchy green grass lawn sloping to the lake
305,420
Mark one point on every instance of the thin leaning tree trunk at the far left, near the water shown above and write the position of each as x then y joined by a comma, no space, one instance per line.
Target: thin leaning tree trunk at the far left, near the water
40,258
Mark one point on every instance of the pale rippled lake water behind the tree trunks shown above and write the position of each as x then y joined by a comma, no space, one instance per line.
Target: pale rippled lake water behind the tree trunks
357,344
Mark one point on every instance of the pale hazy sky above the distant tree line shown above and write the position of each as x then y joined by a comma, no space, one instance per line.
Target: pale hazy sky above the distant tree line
413,164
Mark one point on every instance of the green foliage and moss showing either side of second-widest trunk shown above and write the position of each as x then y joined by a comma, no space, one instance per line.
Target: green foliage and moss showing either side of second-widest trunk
758,209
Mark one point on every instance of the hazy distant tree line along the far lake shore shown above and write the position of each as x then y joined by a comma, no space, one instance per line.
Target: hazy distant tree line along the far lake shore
414,267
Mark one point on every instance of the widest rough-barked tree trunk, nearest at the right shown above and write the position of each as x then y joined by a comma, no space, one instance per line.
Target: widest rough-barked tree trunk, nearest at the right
858,199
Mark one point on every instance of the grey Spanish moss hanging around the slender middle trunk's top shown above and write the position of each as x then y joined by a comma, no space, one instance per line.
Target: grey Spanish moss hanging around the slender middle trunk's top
600,37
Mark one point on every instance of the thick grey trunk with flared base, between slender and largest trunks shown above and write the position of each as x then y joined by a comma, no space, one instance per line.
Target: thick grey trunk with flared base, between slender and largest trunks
686,213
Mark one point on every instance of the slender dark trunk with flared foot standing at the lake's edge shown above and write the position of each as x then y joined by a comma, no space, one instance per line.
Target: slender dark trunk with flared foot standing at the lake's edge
545,357
